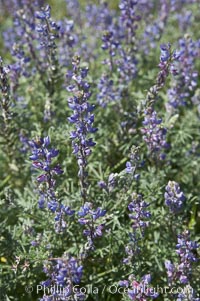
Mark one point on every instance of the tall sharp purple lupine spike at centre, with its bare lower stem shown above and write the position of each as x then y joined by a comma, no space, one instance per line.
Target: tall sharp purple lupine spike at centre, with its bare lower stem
83,119
